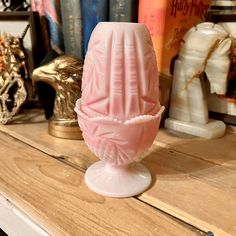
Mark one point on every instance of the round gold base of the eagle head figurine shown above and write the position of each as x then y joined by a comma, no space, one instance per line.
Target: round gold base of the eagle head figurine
67,129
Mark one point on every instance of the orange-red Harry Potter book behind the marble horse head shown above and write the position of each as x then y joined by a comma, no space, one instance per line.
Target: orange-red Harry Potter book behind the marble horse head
168,21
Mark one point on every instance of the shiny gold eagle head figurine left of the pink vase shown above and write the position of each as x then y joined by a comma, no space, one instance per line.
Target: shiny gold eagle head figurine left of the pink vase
64,74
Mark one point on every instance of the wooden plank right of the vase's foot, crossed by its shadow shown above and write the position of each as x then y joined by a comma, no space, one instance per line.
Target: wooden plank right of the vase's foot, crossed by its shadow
198,192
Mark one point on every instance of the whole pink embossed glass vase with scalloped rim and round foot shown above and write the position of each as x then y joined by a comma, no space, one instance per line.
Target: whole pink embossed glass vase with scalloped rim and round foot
119,111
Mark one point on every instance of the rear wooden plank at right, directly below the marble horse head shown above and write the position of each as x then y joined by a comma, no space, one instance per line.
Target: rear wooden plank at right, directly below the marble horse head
221,151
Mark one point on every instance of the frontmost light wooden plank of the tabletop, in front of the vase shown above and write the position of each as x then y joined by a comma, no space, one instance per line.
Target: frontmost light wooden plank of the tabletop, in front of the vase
55,197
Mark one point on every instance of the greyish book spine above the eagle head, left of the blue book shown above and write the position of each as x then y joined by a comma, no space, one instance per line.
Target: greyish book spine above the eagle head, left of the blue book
72,27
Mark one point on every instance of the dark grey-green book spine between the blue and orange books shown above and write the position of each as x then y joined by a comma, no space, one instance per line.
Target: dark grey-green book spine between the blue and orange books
123,10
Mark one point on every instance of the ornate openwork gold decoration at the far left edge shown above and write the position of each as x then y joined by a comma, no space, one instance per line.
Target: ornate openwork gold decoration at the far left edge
12,73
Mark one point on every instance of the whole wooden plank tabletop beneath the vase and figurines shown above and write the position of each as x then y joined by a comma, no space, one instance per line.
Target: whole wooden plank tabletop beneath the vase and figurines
42,190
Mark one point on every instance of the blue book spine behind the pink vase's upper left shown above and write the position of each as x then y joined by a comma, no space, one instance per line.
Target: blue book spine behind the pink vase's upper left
93,11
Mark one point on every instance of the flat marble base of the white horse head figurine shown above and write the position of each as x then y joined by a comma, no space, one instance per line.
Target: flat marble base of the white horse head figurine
213,129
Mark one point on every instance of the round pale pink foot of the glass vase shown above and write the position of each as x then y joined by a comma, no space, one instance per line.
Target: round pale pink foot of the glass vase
118,182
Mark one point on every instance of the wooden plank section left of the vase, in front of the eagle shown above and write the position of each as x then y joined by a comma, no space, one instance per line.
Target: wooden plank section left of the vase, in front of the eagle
31,127
